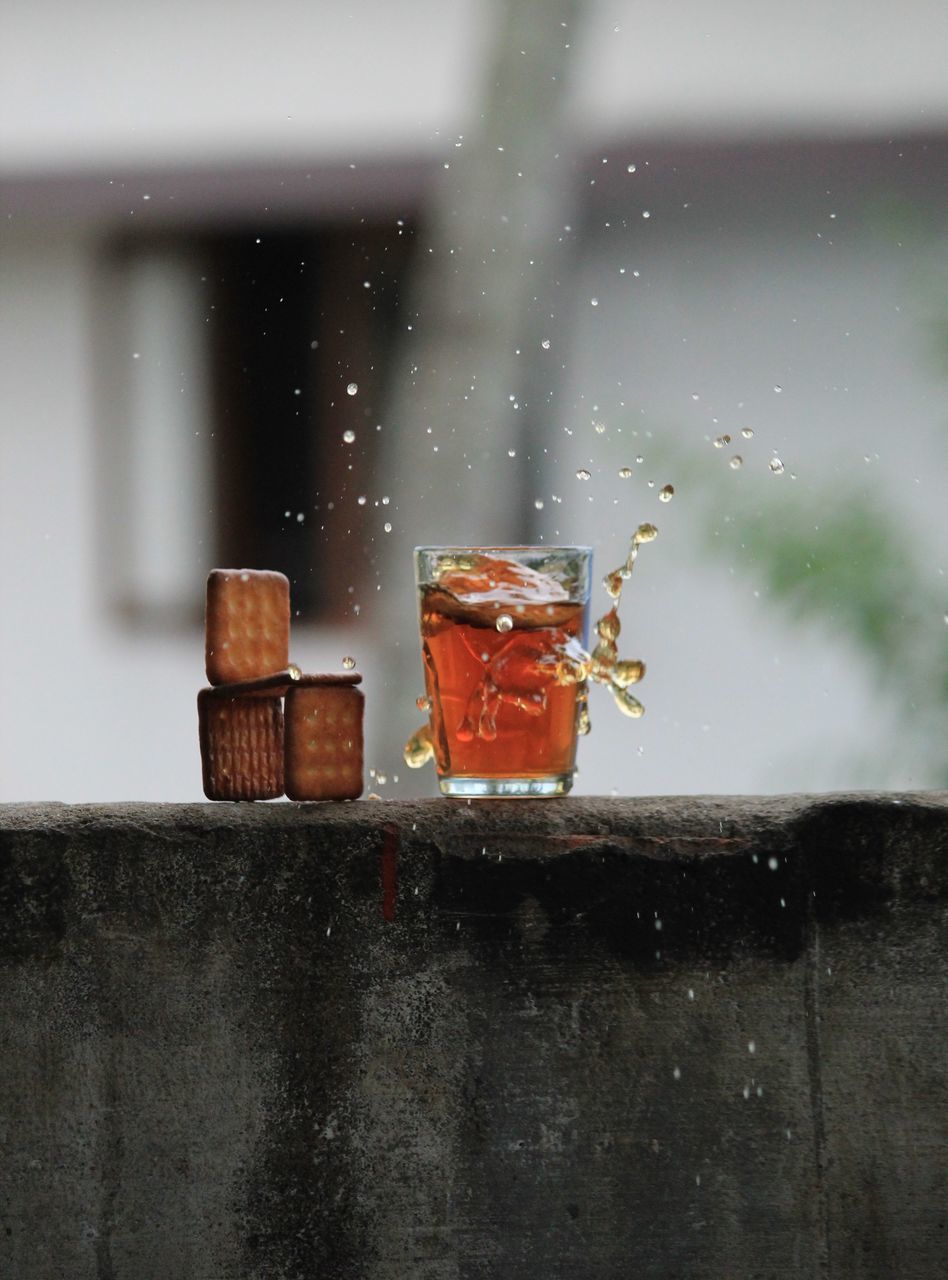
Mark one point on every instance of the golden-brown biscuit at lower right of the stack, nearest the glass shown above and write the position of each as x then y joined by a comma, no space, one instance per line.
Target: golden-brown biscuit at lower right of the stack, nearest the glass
324,740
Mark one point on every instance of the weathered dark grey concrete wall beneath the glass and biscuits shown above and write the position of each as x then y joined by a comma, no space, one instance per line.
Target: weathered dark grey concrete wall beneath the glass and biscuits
585,1040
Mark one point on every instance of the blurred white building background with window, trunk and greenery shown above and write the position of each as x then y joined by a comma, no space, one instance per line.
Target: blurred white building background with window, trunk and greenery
300,286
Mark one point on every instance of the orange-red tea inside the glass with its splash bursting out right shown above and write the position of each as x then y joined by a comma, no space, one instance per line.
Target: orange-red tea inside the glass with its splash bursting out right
526,665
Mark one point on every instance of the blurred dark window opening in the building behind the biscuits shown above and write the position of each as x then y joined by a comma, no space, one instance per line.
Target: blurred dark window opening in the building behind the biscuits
299,318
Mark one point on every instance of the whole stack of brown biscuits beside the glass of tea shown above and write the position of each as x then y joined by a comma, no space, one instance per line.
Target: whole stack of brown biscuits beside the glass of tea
267,729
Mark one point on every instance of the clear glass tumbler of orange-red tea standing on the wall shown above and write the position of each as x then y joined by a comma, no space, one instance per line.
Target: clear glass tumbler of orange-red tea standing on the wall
503,636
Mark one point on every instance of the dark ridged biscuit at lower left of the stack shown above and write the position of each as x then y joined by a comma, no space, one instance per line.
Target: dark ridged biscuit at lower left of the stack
241,746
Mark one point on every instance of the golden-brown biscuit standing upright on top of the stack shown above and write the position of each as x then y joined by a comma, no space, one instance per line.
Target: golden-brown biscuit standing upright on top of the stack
248,624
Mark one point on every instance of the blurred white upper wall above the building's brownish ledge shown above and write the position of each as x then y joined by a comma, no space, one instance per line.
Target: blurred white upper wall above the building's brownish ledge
112,84
